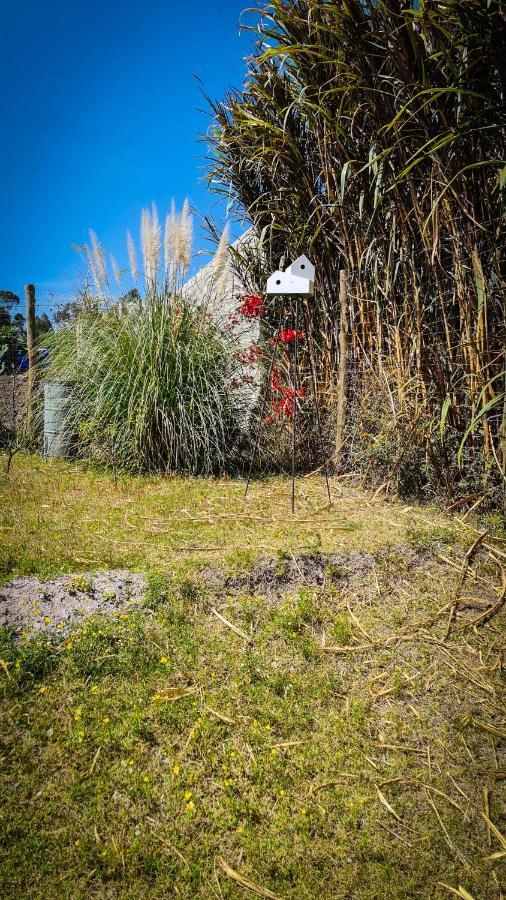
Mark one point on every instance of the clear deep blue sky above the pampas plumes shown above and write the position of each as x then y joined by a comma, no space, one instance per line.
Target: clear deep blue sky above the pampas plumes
101,114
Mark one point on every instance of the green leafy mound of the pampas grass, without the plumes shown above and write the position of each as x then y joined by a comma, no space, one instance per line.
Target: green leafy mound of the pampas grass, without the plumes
149,390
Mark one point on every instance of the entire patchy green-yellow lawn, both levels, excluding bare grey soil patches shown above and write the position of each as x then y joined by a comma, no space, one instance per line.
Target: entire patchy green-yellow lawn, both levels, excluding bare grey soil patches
336,742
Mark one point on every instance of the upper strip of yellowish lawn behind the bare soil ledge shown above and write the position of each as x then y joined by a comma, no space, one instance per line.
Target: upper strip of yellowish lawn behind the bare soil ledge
56,517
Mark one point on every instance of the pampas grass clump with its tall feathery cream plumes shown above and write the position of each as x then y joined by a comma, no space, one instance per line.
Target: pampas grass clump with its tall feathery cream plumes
149,375
